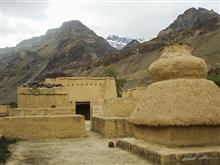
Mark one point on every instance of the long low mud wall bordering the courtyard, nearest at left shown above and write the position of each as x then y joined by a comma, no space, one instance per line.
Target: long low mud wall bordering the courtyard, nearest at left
36,127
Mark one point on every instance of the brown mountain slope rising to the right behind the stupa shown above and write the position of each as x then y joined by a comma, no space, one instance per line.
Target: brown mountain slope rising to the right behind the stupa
132,64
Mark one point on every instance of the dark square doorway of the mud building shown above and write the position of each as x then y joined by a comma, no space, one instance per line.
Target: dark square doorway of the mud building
83,108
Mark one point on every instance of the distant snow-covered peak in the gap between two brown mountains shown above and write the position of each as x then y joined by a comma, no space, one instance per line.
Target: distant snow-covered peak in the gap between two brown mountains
119,42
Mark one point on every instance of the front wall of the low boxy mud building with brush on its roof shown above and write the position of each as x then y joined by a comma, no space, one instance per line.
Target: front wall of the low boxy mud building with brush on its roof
42,98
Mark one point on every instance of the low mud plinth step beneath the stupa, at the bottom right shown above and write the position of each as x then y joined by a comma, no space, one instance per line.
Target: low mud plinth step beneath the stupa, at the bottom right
158,154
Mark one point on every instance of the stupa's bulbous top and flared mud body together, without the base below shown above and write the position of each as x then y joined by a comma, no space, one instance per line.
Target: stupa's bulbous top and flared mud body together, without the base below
182,95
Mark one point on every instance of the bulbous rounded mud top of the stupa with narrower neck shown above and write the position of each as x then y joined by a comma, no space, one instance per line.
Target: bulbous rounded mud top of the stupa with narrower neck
176,61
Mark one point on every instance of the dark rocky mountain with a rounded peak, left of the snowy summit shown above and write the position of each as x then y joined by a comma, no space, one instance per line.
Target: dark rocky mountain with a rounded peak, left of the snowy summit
70,46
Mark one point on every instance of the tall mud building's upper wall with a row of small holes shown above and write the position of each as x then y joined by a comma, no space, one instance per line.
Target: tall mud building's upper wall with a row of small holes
87,89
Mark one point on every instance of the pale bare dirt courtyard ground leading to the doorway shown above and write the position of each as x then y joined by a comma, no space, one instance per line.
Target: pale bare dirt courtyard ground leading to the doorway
92,150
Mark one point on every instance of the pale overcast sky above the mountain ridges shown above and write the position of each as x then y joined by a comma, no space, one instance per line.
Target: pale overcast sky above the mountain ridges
136,19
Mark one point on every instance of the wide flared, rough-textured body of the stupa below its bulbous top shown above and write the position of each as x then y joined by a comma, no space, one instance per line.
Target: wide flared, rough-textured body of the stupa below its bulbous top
180,102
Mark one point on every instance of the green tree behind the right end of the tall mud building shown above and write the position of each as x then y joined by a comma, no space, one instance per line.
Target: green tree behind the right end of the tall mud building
111,72
